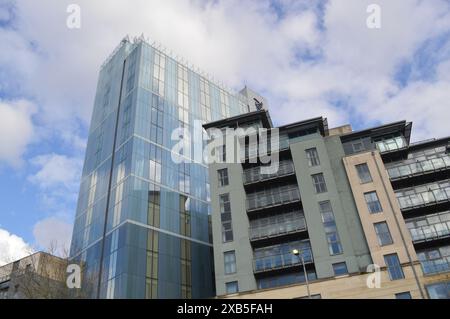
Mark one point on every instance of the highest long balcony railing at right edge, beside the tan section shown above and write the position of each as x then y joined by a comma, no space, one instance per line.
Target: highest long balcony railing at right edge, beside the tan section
419,168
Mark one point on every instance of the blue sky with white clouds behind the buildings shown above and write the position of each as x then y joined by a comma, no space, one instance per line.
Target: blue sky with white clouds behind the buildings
308,58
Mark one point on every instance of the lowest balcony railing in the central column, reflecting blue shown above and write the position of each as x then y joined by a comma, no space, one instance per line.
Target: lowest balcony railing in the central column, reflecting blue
274,262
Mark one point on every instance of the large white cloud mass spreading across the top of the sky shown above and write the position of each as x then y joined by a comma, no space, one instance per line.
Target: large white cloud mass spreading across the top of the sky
256,46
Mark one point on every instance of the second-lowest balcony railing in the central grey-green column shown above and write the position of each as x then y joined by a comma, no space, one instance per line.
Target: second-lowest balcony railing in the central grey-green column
274,230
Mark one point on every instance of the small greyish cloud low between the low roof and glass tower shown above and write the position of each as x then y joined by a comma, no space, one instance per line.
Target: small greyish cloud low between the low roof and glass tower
53,234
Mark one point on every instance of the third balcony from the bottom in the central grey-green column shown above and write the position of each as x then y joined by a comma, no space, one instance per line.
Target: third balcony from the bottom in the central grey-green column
272,198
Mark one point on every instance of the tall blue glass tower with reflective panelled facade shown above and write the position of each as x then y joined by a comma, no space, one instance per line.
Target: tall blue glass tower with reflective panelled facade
142,226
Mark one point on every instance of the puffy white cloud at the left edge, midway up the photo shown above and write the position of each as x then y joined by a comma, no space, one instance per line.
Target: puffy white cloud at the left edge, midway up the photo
16,130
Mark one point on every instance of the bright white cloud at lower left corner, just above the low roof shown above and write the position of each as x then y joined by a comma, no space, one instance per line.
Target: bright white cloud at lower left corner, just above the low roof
12,247
